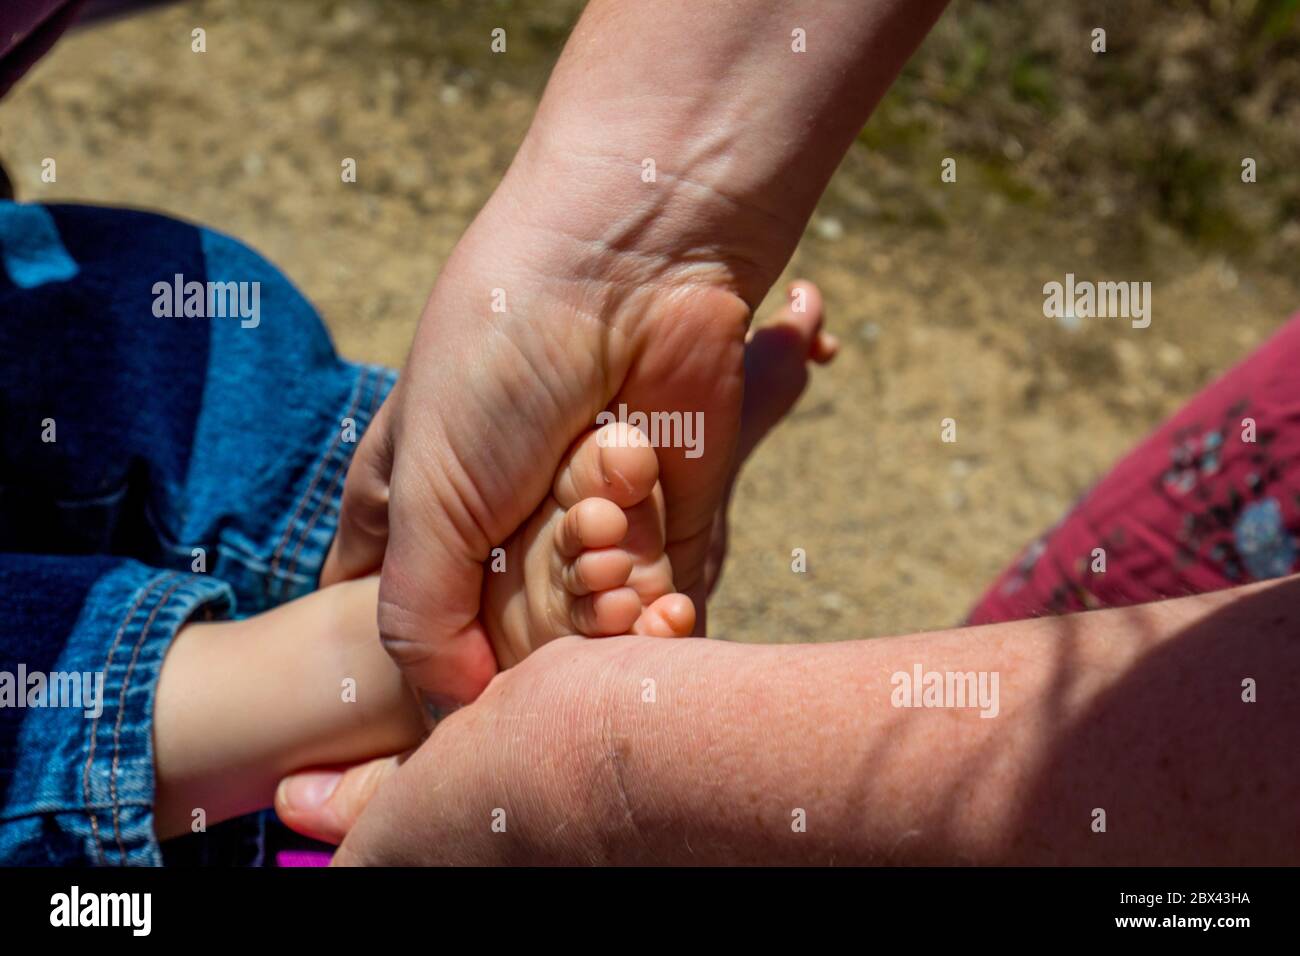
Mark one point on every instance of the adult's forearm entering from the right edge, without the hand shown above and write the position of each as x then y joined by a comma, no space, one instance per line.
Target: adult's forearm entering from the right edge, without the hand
799,754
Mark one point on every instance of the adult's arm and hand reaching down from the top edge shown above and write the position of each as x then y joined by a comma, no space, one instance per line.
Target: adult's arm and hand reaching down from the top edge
586,283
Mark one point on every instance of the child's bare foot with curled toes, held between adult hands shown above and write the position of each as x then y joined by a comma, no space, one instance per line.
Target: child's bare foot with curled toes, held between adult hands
591,560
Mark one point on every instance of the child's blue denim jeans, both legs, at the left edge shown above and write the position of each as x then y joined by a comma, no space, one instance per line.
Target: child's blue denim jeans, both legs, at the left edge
171,435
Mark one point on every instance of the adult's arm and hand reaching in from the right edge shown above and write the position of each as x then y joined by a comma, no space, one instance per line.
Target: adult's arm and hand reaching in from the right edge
1141,713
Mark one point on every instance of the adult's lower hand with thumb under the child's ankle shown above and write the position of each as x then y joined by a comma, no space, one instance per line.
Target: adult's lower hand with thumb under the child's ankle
497,780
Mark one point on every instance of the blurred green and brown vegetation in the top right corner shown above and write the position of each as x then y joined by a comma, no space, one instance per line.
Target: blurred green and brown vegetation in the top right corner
1155,128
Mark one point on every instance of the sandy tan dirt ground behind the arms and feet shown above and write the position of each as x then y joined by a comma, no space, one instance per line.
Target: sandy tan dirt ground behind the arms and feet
935,289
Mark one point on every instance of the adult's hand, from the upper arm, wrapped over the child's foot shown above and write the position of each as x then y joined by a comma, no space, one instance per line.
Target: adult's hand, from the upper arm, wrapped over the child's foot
467,447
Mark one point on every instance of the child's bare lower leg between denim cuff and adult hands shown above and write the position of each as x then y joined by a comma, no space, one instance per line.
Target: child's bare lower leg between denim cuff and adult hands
244,703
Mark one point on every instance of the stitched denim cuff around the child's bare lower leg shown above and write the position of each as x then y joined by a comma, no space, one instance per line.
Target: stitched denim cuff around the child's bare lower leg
84,790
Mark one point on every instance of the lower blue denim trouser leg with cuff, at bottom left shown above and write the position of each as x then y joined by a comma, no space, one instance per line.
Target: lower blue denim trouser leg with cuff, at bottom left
80,660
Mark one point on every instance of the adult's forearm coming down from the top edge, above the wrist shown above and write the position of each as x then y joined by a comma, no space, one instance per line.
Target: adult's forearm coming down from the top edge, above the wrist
744,110
